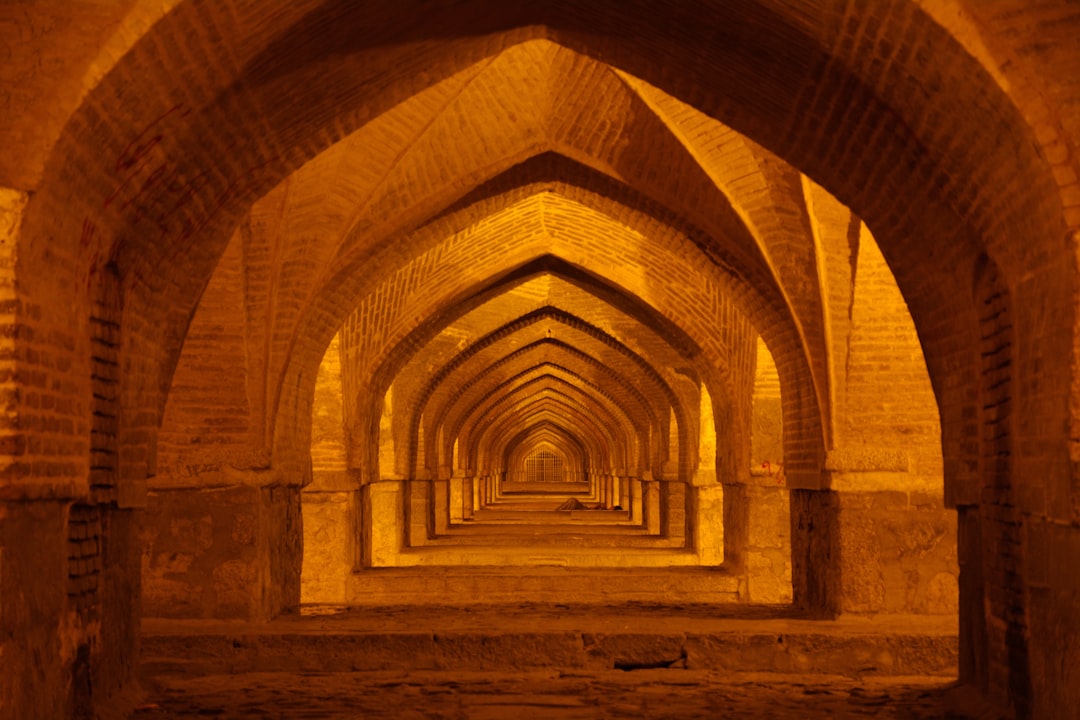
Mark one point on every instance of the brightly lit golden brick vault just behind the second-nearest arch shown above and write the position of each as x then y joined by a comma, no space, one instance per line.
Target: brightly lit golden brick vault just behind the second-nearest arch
551,224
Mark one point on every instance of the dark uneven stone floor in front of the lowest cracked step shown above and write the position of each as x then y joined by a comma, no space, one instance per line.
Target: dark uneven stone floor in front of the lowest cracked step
546,696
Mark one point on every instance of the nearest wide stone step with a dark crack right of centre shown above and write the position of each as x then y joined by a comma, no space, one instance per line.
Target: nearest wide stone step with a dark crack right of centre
493,637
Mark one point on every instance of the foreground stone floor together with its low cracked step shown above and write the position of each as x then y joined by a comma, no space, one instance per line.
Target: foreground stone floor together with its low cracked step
551,661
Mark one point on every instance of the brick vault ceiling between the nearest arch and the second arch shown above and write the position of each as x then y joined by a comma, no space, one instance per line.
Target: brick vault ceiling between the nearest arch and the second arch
397,194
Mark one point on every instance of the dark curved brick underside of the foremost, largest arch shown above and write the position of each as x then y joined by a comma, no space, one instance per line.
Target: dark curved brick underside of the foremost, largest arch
228,140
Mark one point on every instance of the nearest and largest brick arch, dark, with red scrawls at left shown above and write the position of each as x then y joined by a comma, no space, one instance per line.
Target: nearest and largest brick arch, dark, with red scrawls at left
708,67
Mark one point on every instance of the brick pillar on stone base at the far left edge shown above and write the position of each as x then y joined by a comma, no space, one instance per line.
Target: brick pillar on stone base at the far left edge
51,589
